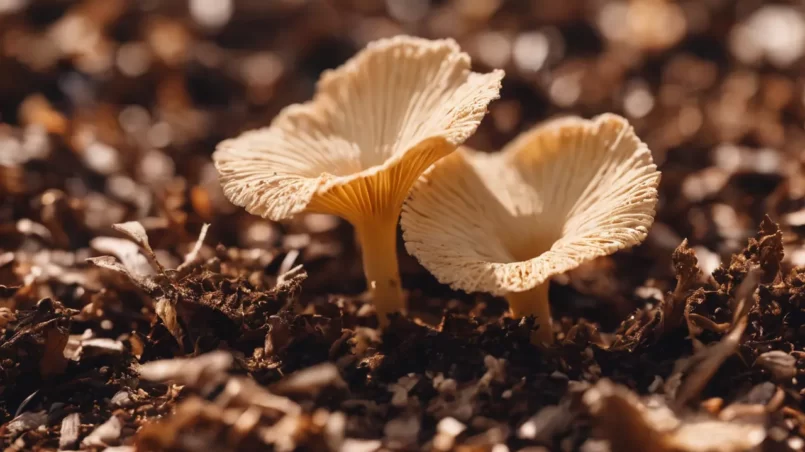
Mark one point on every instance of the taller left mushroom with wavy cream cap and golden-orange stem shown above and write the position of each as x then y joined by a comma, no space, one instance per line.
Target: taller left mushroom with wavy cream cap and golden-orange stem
373,127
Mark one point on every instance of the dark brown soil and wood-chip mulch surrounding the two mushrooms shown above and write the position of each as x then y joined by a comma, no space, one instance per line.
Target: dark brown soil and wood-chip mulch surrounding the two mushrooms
251,335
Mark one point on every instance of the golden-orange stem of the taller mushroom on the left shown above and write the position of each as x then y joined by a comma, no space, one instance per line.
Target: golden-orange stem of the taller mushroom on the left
378,239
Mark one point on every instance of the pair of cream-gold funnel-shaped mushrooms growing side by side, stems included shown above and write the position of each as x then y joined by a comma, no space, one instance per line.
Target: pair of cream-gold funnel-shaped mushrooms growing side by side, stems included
388,122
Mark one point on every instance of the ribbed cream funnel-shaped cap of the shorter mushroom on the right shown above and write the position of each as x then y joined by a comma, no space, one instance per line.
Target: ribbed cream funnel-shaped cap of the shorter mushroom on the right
558,195
